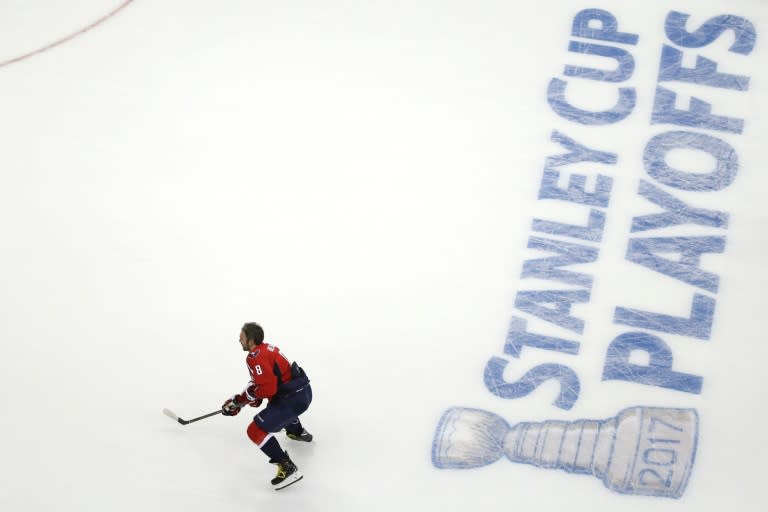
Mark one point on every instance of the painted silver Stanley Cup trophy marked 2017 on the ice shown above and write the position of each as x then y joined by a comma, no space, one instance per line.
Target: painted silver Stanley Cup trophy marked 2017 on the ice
642,450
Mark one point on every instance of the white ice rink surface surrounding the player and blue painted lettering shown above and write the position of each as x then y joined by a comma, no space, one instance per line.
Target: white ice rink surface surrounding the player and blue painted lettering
360,178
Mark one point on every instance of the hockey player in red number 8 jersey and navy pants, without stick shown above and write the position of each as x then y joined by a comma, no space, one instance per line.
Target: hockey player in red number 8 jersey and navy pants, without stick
286,387
